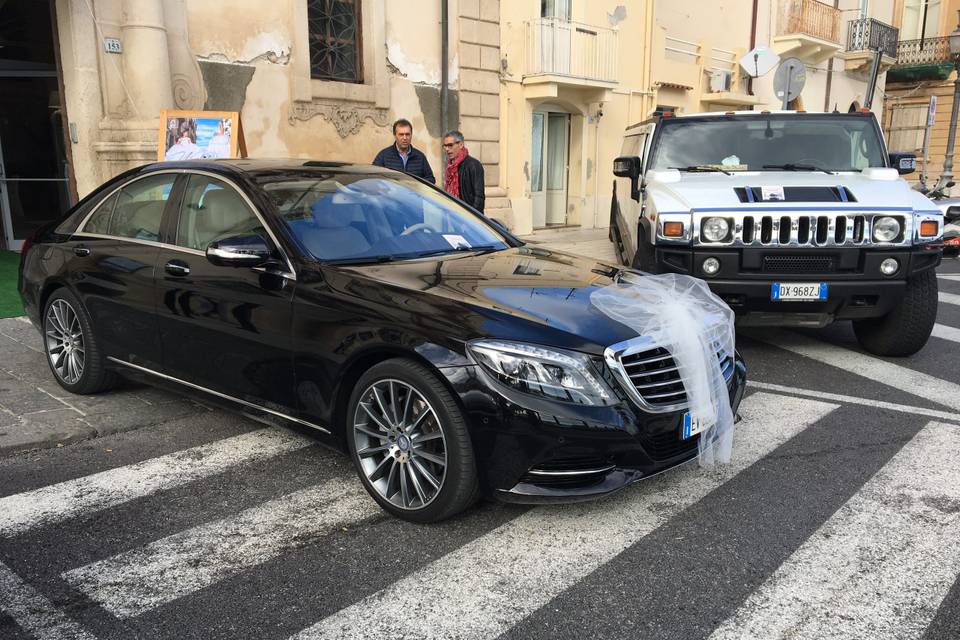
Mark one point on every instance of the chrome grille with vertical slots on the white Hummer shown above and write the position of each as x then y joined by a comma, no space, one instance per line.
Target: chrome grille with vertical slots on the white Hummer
798,230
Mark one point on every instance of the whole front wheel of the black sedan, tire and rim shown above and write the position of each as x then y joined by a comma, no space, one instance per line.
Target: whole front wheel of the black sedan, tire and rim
393,406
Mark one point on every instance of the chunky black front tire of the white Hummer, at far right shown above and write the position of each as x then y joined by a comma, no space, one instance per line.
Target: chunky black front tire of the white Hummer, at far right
904,330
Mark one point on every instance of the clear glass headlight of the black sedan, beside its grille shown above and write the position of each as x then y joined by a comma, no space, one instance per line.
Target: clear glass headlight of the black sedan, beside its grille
553,373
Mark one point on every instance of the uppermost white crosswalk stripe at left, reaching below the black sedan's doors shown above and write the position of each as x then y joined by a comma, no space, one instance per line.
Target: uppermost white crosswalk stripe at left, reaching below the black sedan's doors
65,500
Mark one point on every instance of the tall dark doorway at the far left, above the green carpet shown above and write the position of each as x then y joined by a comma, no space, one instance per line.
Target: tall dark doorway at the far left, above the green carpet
34,176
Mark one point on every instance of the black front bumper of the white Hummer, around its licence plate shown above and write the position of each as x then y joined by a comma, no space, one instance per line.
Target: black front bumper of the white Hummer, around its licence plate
857,289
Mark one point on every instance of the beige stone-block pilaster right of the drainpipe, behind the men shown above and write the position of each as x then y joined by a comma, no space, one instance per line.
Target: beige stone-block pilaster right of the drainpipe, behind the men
479,49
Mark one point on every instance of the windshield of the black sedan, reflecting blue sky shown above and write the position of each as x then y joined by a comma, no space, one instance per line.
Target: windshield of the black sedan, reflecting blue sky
364,217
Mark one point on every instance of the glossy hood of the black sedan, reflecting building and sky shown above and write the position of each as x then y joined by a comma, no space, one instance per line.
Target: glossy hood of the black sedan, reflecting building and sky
525,293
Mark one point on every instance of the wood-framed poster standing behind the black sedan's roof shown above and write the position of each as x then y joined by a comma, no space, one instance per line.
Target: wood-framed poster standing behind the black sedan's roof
188,135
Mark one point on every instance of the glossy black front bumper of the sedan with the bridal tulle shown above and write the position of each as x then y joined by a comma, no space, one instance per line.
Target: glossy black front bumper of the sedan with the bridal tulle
536,451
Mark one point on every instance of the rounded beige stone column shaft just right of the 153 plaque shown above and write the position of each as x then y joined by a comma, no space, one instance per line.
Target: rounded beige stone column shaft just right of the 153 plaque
146,61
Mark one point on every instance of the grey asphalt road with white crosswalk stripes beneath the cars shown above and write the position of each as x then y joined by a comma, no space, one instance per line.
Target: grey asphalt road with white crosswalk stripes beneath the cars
839,517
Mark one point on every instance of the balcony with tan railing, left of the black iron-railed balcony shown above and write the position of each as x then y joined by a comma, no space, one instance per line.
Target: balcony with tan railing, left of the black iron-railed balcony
807,29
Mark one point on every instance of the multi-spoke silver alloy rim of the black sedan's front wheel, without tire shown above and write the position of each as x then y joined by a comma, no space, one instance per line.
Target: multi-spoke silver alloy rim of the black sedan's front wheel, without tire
400,444
